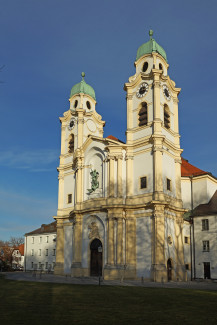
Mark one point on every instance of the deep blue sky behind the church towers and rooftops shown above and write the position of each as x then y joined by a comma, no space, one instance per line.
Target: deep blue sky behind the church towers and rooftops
45,45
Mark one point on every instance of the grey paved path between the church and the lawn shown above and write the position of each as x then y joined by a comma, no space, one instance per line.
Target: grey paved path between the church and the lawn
22,276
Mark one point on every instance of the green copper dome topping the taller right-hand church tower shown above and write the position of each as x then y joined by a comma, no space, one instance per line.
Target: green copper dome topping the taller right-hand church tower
149,47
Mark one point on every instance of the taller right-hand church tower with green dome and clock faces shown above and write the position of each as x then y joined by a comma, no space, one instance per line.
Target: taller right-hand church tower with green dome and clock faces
154,148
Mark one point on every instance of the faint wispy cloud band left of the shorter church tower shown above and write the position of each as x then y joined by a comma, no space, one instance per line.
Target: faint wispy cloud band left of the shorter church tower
29,159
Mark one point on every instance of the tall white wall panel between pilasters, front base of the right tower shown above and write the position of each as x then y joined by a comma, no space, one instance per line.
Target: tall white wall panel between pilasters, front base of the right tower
143,247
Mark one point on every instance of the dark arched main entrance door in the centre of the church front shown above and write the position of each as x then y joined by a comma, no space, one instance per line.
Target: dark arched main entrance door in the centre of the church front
96,258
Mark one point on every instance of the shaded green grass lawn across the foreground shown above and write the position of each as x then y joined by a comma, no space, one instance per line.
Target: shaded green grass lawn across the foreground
48,303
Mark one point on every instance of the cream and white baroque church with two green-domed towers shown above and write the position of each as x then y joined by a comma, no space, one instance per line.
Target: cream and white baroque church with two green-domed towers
121,206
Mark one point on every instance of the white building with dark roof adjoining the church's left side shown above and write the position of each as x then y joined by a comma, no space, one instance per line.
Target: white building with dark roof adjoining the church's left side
40,248
